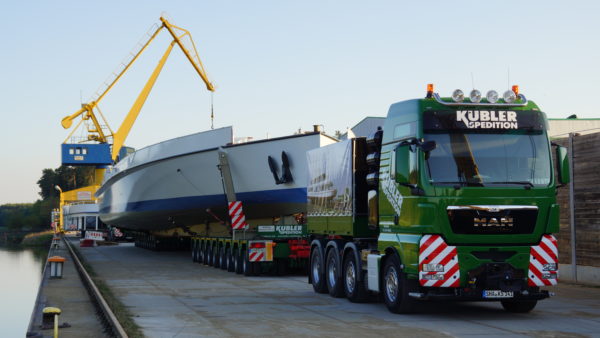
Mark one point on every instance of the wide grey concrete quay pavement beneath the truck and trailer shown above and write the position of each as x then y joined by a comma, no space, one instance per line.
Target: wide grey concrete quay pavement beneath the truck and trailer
170,296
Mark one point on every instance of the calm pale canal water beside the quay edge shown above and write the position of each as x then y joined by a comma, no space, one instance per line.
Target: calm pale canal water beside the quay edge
20,277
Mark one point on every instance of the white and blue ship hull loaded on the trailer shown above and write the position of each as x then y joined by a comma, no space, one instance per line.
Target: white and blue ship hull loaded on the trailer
164,192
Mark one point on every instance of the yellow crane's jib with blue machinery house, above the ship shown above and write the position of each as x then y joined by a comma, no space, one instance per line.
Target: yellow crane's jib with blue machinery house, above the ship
101,153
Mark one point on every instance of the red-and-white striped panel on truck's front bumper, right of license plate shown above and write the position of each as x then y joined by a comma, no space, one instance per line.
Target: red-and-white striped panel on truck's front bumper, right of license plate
543,263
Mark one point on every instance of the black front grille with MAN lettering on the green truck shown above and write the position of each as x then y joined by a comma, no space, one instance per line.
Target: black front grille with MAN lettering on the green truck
492,219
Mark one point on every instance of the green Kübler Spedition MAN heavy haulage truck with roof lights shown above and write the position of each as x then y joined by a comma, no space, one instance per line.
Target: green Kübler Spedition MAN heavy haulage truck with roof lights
454,198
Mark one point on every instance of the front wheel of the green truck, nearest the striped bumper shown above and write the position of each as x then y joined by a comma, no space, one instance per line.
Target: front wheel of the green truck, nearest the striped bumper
395,288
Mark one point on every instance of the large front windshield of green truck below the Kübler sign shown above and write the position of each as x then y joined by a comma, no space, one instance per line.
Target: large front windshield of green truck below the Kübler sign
489,159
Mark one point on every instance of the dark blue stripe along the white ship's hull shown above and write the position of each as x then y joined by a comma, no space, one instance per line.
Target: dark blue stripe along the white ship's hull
297,195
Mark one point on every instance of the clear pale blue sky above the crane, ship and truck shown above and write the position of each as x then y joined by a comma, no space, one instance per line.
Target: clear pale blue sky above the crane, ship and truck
278,65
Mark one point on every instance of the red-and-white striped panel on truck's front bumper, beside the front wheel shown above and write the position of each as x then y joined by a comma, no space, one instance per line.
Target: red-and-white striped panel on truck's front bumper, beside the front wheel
438,263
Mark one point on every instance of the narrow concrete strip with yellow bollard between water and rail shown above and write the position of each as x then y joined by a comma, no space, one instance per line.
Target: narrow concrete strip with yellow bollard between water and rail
71,297
